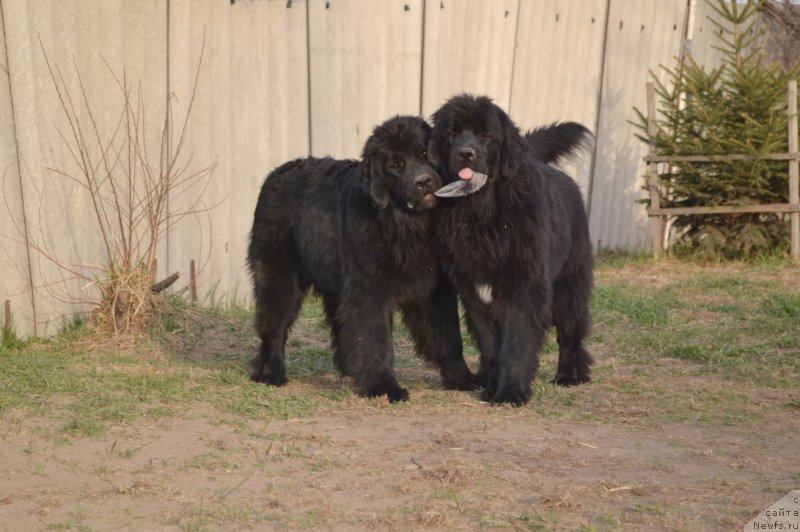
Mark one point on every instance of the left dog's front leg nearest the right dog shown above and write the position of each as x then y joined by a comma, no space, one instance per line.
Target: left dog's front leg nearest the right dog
434,326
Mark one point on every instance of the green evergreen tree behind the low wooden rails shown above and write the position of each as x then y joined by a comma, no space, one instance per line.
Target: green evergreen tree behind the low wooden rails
736,108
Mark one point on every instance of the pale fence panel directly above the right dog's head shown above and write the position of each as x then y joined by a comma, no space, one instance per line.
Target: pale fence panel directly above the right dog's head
469,47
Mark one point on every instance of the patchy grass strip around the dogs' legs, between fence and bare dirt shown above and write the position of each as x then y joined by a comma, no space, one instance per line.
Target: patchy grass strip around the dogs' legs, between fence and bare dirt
735,325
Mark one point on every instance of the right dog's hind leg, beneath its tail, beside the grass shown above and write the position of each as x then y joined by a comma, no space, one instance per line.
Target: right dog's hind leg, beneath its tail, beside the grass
571,294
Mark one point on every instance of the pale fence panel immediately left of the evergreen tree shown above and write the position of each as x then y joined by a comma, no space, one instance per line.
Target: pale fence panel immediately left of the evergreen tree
640,38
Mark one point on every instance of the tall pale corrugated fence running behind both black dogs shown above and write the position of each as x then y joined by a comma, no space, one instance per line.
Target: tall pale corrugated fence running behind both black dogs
287,79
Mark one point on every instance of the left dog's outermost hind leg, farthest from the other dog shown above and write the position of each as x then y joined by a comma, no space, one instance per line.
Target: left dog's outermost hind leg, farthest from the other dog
278,298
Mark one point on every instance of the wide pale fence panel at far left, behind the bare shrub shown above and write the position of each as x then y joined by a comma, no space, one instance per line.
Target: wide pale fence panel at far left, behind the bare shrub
59,215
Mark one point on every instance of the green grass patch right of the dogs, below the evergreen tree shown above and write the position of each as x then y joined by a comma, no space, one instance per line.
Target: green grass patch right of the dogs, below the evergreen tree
729,324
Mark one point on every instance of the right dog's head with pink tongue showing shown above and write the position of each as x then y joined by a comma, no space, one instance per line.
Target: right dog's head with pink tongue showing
471,132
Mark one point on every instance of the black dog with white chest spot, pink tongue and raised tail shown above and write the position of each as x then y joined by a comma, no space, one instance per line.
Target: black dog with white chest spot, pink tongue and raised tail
517,249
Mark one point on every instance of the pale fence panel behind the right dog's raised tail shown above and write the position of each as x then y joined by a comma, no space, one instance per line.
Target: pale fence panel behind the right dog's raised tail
557,69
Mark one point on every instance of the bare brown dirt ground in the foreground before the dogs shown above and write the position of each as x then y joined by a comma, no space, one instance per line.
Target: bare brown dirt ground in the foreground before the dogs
652,446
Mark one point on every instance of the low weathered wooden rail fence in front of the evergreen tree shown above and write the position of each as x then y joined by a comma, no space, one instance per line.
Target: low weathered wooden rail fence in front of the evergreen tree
659,215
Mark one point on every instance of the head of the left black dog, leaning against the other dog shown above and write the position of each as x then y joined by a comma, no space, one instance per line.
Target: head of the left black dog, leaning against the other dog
395,167
